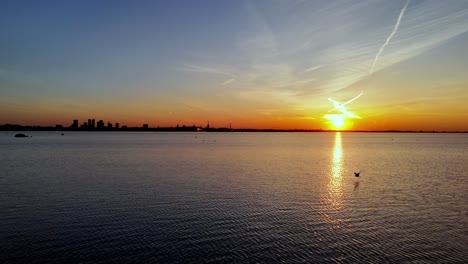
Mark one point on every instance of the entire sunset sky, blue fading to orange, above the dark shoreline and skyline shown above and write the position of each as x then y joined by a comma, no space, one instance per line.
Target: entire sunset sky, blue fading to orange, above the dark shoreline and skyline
253,64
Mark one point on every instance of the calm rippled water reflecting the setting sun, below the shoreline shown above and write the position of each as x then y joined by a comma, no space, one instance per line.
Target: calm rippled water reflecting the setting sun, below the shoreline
233,197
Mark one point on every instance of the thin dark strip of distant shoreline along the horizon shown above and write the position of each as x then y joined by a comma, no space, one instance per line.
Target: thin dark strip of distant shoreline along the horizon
9,127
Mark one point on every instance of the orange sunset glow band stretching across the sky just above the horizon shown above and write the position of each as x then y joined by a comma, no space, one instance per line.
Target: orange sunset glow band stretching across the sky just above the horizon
374,118
